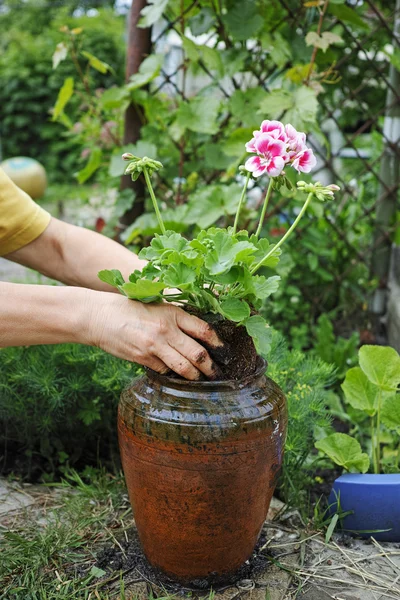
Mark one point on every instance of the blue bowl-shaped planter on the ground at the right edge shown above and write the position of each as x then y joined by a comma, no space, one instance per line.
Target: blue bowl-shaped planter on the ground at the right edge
375,504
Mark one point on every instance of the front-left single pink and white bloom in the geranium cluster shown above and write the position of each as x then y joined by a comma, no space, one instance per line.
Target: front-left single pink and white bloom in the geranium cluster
271,156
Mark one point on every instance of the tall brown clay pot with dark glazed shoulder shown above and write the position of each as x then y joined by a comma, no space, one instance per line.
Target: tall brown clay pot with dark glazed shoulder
201,460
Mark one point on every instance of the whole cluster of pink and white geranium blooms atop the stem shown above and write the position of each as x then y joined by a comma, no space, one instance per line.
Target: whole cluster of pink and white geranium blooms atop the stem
276,146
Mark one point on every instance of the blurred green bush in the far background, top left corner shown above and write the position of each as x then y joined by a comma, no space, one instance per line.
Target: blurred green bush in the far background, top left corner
29,85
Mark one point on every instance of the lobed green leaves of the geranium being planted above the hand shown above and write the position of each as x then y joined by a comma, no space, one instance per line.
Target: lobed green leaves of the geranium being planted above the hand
213,273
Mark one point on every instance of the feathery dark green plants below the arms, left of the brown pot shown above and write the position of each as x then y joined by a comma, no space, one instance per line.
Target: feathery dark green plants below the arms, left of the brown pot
58,404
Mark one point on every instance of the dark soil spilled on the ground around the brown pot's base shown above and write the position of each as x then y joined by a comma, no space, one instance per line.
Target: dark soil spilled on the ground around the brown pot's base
132,559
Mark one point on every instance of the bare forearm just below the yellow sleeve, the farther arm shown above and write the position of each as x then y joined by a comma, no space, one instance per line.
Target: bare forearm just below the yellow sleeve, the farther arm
74,255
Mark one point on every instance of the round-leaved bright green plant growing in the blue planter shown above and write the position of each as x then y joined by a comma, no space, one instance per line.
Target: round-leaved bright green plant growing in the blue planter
371,390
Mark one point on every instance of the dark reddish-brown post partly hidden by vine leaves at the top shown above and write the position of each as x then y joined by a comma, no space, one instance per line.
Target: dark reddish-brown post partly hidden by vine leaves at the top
139,47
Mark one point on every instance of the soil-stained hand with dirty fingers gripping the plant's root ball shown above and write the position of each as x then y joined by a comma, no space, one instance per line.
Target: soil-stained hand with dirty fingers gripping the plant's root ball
158,336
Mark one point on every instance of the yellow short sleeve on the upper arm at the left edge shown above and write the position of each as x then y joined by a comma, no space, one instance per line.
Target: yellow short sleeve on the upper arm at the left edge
21,219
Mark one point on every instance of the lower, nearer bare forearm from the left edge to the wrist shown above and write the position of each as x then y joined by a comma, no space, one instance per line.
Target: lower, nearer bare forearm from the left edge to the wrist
40,314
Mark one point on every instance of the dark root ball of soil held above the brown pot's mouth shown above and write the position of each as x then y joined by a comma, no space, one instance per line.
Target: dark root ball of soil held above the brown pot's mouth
237,358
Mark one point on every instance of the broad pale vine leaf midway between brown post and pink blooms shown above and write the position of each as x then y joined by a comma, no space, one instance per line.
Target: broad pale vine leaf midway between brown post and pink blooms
199,115
